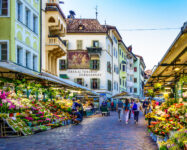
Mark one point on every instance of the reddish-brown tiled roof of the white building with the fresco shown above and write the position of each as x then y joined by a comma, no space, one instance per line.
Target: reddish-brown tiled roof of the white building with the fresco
89,26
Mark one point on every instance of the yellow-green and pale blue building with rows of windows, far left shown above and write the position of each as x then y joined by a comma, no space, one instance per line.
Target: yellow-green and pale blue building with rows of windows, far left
20,32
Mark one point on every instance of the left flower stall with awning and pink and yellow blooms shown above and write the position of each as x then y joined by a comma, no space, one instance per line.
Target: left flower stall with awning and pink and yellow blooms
31,103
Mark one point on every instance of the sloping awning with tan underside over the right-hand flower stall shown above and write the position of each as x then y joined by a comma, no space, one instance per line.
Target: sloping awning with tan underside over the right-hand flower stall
174,63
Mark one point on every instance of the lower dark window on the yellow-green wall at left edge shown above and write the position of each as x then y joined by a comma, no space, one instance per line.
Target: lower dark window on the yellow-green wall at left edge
3,51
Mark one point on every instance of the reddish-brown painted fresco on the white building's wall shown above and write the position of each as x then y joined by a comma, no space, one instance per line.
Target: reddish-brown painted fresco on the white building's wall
78,60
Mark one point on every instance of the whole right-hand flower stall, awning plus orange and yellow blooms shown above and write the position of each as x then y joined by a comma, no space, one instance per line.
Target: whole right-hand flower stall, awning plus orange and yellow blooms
167,123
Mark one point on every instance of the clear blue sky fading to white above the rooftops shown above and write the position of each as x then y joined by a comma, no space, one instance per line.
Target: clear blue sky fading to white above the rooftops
137,14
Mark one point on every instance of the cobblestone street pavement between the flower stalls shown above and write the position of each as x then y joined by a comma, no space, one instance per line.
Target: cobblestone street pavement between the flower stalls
95,133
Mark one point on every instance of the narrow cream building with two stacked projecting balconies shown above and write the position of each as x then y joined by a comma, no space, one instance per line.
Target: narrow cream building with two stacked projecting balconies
53,32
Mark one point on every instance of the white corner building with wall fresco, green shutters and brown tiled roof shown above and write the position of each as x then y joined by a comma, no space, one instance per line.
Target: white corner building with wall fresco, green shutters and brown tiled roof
90,58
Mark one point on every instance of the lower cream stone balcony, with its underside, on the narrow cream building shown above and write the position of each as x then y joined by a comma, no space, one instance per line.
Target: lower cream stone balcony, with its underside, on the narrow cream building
56,46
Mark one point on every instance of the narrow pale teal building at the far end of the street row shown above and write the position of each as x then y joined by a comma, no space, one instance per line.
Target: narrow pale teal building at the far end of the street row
139,67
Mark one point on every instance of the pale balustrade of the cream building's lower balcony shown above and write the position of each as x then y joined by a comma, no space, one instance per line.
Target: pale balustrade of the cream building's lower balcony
56,41
